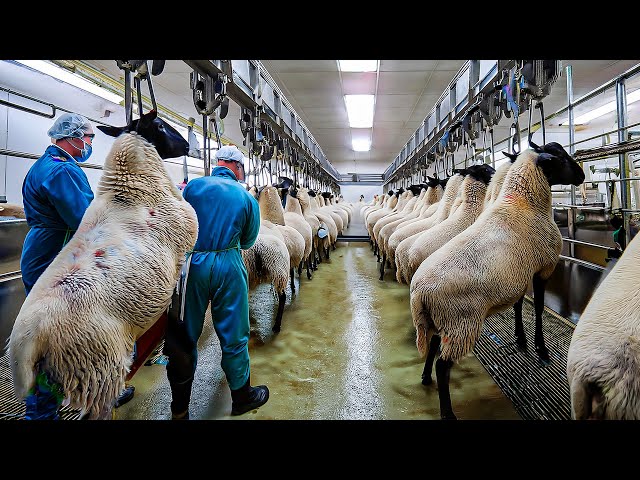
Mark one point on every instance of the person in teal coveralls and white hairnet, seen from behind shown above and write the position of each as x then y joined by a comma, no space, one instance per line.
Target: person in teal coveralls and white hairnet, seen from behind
228,220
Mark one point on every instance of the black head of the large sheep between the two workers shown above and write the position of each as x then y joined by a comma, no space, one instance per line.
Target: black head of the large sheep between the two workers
166,139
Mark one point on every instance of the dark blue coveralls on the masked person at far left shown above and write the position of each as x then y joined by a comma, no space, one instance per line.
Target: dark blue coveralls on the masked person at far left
55,194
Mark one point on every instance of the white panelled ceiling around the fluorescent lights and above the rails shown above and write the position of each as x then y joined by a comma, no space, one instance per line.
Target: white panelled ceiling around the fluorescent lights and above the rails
406,90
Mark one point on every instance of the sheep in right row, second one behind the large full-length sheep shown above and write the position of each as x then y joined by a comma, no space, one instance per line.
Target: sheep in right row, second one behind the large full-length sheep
441,213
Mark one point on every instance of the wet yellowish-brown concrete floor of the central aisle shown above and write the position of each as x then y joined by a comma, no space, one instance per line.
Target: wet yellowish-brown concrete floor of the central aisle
346,351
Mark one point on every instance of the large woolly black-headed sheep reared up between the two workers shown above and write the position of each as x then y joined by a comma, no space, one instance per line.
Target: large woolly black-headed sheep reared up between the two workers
113,279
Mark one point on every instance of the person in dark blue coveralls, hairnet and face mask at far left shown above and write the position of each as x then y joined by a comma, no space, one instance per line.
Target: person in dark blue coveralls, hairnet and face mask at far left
55,194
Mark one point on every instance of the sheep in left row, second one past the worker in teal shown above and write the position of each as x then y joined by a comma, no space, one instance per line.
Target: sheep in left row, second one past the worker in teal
271,210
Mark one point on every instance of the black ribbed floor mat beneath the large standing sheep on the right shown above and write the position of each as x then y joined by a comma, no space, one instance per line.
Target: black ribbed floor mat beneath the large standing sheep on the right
538,391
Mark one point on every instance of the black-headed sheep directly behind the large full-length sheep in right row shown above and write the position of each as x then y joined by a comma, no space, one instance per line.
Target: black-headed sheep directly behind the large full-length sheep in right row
473,190
